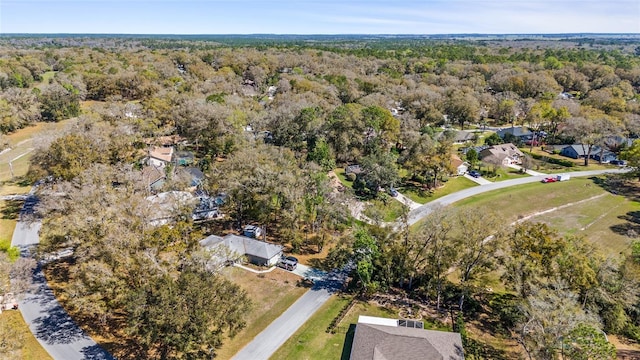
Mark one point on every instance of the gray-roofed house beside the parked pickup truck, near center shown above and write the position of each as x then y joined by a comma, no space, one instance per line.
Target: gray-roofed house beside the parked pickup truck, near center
234,247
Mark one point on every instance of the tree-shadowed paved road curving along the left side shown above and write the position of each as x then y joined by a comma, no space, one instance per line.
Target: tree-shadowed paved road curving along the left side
48,321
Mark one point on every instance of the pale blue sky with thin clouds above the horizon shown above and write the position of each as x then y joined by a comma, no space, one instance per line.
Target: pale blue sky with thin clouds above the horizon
319,17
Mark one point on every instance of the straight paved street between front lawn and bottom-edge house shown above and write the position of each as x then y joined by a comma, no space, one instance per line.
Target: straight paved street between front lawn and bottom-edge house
271,338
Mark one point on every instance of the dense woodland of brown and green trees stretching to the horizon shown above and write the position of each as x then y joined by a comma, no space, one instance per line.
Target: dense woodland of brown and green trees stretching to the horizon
267,121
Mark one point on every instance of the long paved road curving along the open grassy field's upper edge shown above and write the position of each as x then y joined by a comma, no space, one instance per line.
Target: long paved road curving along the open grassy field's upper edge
424,210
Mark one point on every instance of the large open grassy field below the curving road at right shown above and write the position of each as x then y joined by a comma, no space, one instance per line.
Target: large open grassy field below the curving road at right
605,220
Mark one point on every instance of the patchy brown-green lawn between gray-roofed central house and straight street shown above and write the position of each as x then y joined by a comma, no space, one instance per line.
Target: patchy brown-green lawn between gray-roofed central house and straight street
271,293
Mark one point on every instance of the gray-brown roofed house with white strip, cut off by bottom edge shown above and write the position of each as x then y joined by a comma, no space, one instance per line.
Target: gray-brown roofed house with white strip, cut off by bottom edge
382,339
